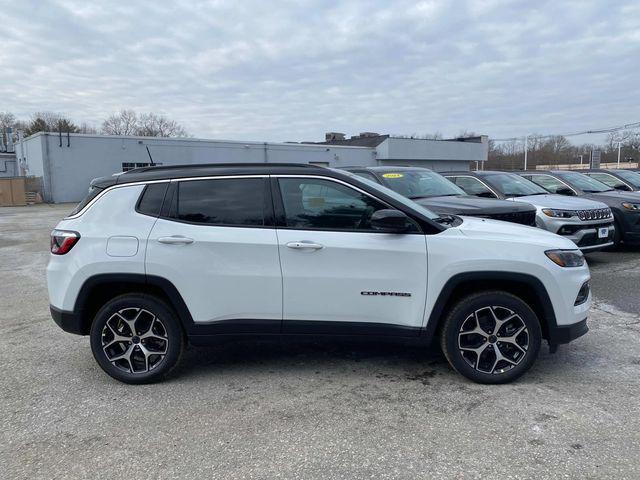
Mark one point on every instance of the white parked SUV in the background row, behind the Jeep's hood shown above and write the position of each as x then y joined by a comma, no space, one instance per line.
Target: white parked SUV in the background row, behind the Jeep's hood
589,224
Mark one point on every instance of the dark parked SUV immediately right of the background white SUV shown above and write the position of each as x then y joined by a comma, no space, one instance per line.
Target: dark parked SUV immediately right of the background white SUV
624,205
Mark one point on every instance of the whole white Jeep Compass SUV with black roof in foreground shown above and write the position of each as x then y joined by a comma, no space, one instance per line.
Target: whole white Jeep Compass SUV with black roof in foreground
161,256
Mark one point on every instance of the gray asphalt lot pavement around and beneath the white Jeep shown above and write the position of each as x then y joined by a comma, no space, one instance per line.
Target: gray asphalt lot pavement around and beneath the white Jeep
310,410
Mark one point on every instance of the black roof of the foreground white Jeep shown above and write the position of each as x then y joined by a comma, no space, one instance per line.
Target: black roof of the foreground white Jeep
165,172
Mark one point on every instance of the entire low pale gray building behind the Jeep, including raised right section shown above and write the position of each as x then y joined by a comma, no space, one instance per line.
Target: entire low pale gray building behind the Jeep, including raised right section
68,162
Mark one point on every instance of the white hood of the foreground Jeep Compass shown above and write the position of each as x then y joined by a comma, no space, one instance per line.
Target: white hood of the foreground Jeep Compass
494,229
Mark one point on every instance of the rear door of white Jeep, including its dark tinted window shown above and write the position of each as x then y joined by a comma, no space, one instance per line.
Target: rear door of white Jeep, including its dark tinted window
219,251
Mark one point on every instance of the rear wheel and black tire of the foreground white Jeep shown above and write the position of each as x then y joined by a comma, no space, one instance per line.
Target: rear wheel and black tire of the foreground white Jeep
155,347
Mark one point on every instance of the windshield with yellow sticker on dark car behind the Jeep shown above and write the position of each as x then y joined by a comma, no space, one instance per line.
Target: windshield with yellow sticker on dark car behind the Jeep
420,183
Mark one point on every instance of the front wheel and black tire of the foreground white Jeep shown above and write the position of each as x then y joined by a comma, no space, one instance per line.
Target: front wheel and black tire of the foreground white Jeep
480,310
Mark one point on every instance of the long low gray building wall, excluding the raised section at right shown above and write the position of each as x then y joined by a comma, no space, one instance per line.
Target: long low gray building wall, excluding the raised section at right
68,169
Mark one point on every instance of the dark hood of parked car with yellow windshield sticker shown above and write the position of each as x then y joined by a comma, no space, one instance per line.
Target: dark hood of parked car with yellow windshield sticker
470,205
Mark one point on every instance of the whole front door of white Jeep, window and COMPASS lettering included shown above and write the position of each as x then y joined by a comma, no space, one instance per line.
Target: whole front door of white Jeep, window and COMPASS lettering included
339,275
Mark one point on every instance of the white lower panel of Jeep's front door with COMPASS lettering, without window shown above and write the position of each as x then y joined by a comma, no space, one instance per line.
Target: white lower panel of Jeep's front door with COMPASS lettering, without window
354,277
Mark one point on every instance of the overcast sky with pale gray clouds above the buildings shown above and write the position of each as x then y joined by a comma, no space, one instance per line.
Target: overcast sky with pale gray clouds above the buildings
292,70
